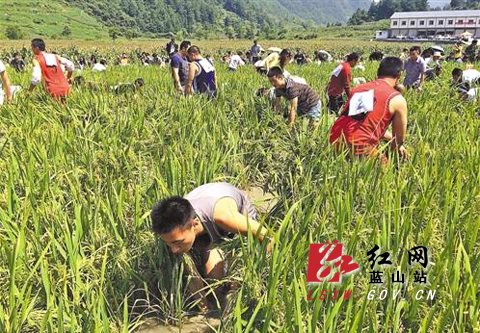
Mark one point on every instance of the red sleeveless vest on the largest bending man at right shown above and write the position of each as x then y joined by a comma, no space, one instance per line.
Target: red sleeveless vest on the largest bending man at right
363,135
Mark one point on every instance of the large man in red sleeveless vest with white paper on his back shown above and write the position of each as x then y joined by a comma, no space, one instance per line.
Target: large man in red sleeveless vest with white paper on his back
370,110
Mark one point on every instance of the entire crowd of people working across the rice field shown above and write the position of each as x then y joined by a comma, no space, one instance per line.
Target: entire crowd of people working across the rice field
364,112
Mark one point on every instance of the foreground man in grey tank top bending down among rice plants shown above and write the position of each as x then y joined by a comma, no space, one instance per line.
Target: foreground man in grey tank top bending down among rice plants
198,223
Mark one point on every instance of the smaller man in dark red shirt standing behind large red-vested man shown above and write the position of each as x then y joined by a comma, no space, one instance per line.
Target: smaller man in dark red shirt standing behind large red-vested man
340,83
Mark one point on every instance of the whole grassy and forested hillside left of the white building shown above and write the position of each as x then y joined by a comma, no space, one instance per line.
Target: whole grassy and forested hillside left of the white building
155,18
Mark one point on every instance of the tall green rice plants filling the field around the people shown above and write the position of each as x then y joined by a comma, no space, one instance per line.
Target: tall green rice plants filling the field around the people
77,184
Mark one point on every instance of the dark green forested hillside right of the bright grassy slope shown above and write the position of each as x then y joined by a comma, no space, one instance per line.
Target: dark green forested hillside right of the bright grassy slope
239,18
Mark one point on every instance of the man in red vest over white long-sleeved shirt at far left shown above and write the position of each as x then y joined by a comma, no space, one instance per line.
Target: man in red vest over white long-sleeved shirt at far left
47,68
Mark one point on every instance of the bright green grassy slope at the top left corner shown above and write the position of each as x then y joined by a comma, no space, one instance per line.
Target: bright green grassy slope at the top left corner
47,19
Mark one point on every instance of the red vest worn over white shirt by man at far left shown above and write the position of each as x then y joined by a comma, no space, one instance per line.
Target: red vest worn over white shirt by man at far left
53,78
